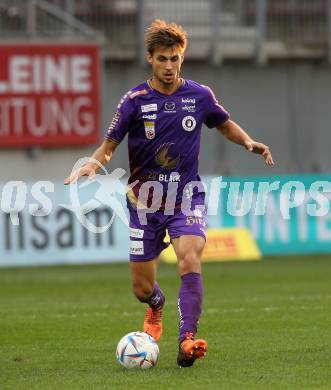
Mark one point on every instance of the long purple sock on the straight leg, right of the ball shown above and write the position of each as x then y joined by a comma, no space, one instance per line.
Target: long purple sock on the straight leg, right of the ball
189,304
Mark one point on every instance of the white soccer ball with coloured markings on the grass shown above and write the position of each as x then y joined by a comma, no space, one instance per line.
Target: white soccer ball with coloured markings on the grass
137,350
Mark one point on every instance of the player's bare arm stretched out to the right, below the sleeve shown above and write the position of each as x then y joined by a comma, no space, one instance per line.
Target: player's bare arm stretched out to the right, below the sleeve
233,132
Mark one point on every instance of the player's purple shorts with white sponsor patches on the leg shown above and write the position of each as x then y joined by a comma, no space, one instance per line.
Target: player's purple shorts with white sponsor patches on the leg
147,240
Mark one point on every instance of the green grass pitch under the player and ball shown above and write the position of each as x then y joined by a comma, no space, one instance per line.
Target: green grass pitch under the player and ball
268,325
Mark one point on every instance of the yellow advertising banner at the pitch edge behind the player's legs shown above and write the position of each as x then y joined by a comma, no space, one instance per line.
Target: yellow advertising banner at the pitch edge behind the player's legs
230,244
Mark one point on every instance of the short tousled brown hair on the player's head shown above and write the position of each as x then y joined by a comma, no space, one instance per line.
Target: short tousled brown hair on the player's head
164,34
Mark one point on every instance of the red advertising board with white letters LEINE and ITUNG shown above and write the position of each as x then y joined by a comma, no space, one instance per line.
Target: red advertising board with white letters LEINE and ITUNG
49,95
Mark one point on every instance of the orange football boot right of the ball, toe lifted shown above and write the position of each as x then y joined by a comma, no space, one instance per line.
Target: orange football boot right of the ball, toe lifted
190,350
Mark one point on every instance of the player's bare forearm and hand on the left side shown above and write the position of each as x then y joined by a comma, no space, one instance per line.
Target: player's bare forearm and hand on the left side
102,155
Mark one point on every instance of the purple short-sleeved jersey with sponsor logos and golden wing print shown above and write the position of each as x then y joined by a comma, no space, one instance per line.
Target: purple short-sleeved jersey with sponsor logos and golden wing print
164,132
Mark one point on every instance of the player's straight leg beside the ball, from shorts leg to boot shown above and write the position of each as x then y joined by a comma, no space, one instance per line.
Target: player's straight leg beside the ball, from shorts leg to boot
187,233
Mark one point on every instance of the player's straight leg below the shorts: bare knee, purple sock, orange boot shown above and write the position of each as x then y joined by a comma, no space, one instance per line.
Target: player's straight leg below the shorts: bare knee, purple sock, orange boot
189,249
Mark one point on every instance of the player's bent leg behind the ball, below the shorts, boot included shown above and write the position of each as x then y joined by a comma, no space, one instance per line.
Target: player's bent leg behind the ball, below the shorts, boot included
146,289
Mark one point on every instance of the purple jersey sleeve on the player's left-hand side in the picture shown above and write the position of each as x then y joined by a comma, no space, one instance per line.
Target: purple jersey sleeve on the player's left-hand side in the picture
120,124
